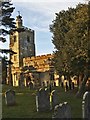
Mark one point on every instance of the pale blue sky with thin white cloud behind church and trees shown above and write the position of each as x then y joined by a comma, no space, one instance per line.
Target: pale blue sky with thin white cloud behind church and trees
38,15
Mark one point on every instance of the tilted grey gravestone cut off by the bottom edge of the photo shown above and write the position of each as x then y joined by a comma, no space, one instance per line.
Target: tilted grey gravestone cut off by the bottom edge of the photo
62,111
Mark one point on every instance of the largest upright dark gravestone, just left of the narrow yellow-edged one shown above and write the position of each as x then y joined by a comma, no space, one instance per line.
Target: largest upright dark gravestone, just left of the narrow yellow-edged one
42,100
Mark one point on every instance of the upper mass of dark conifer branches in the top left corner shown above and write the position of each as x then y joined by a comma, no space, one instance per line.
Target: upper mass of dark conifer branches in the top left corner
6,21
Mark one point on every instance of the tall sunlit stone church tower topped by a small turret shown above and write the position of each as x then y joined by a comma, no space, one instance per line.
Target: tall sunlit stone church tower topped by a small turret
24,45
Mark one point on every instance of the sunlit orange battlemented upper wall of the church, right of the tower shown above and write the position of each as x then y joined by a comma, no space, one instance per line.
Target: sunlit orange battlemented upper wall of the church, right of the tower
40,63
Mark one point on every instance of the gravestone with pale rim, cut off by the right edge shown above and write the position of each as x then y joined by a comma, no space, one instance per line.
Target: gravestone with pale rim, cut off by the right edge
86,106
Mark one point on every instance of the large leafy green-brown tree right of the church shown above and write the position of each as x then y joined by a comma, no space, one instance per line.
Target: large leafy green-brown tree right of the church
70,37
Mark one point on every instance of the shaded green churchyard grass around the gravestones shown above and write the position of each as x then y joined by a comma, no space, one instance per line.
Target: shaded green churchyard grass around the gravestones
25,103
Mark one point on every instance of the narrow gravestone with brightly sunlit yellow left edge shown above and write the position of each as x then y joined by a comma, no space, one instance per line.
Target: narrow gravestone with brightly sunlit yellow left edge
53,99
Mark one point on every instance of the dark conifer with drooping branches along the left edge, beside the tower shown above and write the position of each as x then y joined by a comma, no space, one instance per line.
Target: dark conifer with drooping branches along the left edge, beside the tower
6,25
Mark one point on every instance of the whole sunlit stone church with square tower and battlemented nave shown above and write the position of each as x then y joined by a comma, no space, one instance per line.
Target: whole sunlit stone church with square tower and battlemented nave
26,65
